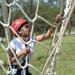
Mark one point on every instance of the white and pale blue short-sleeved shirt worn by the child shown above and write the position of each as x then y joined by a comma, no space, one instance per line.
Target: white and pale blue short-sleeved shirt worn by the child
18,45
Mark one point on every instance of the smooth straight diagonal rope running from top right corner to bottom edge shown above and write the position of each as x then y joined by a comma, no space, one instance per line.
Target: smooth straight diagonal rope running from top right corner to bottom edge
56,47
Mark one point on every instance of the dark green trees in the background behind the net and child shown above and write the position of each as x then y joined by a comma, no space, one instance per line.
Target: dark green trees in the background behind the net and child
48,10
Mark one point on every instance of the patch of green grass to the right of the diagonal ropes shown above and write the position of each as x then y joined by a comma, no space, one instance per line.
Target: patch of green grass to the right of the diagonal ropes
66,62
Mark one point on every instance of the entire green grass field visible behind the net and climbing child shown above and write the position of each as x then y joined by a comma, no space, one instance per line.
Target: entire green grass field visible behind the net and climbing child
66,60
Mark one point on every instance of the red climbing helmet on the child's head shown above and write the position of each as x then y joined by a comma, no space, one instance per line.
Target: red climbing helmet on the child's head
17,23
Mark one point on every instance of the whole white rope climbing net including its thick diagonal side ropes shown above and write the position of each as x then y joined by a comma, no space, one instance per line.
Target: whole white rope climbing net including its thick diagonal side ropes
49,68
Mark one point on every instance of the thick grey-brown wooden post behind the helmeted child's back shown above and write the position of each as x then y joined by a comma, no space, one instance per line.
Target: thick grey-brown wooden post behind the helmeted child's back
5,18
